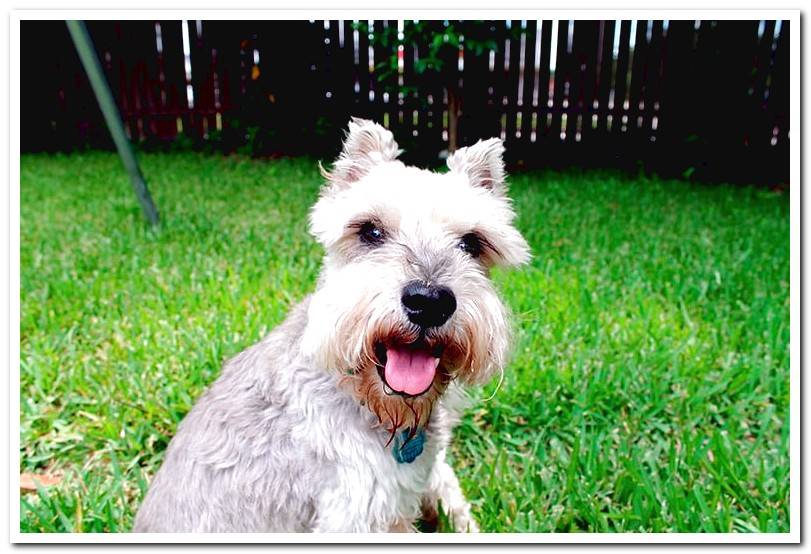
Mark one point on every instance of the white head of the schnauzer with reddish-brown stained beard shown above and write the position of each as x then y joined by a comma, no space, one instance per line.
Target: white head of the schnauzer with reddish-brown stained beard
404,303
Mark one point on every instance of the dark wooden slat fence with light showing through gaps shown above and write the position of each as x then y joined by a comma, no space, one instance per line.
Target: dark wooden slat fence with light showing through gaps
702,98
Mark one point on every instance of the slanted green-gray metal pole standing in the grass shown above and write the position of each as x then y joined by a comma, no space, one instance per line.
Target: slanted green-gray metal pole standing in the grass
84,46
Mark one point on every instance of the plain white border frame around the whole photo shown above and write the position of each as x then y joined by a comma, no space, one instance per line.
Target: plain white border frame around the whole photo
588,538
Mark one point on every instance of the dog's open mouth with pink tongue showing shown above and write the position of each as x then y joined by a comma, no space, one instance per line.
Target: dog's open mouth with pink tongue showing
407,369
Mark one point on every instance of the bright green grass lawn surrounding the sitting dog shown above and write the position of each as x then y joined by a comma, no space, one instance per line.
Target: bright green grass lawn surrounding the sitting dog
649,389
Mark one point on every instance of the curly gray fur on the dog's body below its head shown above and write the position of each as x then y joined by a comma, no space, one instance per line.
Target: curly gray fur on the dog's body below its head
263,450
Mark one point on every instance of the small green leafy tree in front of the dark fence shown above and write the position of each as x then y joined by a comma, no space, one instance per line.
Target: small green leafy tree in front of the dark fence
439,44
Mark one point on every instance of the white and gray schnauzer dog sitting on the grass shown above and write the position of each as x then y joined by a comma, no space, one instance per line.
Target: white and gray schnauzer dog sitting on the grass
339,420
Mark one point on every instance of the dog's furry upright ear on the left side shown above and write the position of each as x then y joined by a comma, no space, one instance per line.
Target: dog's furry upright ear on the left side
366,145
